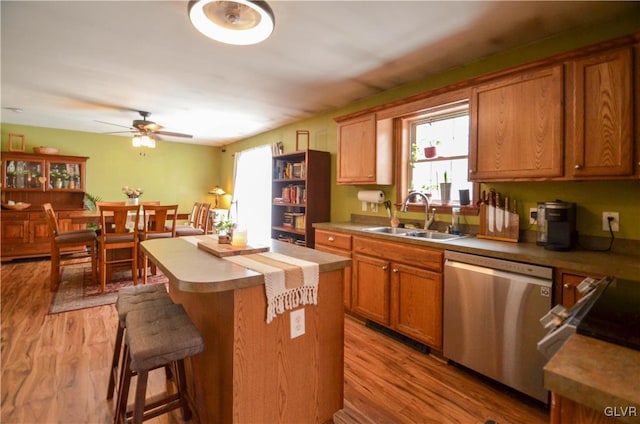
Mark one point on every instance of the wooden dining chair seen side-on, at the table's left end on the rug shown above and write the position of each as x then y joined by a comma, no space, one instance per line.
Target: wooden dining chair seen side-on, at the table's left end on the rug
61,241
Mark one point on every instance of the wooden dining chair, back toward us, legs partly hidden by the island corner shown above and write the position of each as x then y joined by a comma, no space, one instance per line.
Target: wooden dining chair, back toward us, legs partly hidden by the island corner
158,222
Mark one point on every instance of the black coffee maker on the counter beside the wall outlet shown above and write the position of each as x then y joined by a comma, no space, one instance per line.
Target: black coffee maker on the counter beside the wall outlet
561,225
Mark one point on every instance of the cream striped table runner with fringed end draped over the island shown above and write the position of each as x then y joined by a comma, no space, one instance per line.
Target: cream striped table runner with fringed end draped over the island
289,282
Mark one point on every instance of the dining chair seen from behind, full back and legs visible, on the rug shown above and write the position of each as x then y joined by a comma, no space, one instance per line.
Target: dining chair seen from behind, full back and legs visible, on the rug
118,232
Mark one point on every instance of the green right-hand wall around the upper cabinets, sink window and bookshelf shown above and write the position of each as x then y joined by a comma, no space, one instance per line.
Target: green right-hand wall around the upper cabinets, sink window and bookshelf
592,197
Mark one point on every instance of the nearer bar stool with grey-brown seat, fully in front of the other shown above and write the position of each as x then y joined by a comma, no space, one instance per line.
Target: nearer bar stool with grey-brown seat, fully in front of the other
156,337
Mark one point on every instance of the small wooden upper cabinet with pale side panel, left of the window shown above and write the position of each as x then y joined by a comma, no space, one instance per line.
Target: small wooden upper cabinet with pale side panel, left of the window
365,151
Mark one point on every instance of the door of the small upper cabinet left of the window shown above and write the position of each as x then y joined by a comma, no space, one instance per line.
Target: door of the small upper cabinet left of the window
356,155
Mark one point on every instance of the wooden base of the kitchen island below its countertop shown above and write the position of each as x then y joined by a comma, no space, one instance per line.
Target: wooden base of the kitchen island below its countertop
253,372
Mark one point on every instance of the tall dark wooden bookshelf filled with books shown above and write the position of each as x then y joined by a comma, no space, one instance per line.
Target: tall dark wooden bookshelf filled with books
301,187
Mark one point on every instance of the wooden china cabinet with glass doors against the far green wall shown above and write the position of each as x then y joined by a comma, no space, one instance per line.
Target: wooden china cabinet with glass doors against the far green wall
36,179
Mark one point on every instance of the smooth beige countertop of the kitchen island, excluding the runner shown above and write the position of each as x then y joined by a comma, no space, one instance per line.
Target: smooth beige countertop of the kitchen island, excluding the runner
195,270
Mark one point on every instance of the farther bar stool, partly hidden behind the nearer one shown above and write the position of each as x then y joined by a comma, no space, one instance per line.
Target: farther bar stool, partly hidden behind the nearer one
130,299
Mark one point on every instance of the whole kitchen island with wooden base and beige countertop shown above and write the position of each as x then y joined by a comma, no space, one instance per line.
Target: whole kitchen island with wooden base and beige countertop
251,371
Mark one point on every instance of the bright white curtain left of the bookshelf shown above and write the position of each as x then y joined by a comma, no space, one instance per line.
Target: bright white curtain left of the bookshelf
251,207
